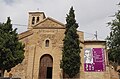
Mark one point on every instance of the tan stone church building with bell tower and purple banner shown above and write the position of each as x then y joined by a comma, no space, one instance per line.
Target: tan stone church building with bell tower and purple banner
43,52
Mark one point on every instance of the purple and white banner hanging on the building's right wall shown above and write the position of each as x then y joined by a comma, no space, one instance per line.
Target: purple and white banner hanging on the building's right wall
94,59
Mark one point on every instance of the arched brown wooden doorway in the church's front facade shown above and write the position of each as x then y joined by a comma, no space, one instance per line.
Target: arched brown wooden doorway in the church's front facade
46,64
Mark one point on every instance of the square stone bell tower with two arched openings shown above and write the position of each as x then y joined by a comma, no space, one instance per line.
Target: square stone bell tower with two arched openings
35,18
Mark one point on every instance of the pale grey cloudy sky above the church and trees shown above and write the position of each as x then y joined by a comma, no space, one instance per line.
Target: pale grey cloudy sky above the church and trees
91,15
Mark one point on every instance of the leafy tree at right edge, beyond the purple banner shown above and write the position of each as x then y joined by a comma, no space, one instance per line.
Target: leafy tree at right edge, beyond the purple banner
113,40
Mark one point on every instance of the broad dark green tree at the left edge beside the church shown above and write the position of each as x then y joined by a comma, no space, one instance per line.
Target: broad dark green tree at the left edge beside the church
11,50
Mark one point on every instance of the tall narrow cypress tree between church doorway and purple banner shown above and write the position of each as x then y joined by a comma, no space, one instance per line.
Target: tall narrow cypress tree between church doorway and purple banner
71,50
